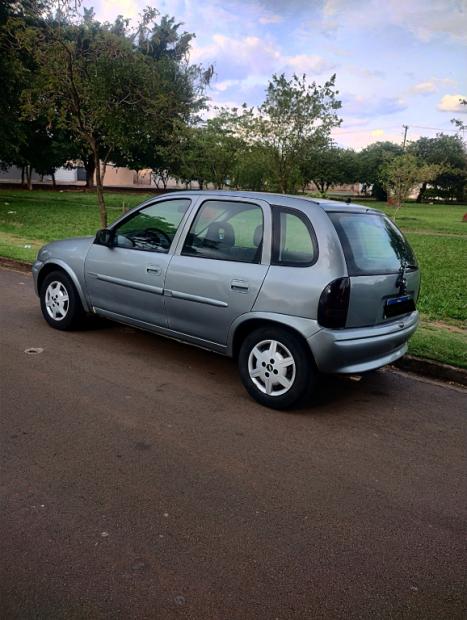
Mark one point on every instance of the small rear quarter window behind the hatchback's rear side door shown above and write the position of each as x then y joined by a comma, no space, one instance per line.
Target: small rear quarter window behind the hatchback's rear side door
294,240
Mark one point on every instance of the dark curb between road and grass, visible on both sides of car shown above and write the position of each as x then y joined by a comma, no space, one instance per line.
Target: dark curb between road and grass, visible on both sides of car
417,365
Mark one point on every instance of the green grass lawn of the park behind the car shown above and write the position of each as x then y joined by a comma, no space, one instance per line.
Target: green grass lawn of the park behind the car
436,232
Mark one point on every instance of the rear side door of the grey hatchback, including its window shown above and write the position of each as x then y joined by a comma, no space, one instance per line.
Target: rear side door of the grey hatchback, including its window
217,274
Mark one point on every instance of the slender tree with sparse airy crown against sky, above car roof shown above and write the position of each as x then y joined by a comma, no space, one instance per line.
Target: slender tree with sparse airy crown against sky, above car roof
294,114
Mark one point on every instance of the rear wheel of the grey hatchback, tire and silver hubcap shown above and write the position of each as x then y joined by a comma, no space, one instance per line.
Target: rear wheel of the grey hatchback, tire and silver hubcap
264,374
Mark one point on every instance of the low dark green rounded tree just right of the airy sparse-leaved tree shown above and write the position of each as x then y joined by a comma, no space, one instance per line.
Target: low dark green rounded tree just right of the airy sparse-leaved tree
330,166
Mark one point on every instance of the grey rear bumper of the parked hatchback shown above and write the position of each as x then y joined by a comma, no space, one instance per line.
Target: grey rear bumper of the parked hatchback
362,349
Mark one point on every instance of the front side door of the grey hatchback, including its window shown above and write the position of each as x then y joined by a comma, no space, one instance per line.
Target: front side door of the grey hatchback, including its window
127,279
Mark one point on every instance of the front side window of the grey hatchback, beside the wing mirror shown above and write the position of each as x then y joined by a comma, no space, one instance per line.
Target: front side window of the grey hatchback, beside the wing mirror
153,228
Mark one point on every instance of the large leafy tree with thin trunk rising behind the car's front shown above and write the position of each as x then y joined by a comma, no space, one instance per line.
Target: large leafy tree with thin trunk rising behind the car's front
110,88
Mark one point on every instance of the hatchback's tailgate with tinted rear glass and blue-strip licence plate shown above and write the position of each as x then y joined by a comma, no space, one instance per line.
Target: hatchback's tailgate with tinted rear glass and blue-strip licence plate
384,275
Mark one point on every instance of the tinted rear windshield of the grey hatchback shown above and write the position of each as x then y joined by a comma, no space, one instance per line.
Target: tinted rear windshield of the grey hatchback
371,243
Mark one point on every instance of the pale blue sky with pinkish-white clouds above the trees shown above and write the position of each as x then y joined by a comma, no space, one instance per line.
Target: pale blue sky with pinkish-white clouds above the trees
397,62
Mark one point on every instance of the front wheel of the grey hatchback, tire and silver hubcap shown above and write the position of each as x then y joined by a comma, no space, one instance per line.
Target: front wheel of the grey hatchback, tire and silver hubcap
60,302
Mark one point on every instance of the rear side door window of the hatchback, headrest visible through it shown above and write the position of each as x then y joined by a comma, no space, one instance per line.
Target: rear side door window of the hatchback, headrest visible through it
224,230
